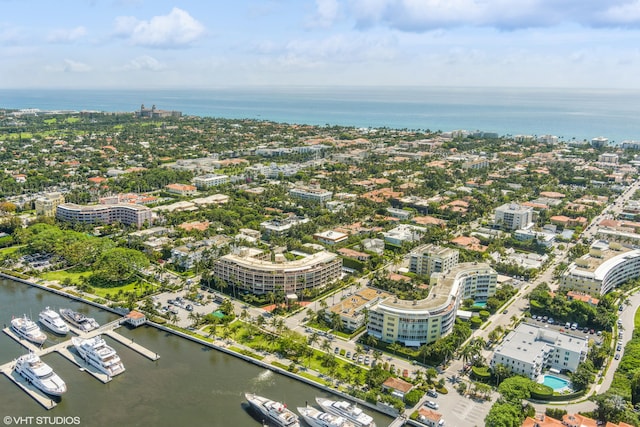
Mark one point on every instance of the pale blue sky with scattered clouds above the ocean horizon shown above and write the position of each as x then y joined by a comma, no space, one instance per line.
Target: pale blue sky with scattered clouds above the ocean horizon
226,43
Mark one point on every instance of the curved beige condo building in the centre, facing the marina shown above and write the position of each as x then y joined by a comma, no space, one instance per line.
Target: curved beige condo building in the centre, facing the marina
251,271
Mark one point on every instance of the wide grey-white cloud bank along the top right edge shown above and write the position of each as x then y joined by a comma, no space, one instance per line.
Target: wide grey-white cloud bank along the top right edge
426,15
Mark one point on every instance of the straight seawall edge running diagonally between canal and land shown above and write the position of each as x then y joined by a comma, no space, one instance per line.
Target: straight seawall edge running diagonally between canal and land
388,411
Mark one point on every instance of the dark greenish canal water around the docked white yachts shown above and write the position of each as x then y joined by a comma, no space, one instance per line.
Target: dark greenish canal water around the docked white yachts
190,385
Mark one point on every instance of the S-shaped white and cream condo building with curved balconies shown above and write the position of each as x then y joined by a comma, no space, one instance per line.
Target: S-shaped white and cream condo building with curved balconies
421,322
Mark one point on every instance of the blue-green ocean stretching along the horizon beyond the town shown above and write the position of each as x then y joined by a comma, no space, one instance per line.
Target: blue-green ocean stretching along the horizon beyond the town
567,113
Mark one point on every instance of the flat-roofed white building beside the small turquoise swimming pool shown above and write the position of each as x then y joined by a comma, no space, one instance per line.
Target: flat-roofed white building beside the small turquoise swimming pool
529,349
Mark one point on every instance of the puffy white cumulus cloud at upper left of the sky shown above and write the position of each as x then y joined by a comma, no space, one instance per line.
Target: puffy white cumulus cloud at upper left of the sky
176,29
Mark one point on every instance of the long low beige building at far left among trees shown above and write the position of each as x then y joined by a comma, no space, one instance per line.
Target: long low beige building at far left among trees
124,213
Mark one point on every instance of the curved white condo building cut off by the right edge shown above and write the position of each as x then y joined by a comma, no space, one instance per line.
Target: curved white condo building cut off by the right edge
606,266
